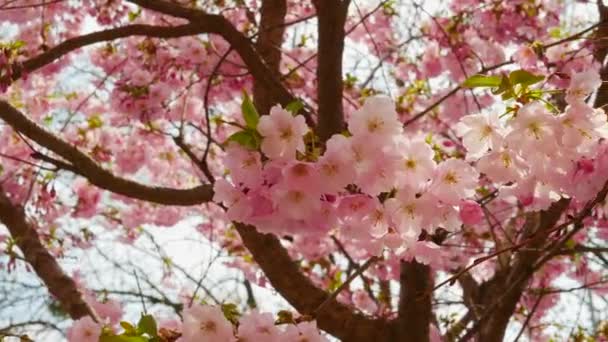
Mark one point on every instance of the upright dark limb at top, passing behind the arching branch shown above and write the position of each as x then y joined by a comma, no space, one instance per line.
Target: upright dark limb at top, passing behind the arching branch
270,38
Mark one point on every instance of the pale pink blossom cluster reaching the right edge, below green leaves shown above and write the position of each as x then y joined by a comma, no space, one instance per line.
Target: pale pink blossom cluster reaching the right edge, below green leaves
539,155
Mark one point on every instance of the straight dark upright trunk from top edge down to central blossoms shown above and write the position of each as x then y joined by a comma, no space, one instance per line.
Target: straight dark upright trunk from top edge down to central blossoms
332,17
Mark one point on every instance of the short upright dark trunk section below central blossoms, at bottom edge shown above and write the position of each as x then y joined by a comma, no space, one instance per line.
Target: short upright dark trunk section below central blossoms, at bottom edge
415,310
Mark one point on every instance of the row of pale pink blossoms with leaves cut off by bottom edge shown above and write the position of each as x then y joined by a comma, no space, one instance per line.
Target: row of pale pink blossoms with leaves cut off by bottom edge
205,323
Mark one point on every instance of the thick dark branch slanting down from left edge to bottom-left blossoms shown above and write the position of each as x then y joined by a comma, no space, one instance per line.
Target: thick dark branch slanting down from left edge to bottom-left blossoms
60,285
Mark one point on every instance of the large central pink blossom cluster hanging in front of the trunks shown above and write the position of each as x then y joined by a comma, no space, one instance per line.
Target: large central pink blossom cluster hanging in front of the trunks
378,186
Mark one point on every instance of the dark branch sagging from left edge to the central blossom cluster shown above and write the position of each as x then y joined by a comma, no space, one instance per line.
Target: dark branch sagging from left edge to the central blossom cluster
87,167
